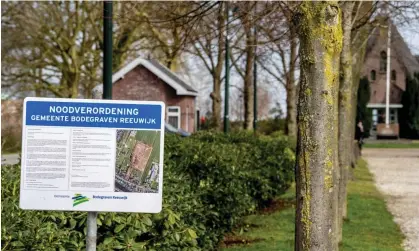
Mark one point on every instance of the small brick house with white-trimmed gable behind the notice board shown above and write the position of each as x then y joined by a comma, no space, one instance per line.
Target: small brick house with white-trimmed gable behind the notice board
149,80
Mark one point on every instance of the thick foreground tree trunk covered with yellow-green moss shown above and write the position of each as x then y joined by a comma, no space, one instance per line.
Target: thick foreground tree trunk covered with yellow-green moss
320,35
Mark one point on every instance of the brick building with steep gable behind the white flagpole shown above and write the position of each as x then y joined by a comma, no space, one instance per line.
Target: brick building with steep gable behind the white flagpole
402,64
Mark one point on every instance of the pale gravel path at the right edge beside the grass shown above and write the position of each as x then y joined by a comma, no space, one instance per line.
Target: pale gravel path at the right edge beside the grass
396,174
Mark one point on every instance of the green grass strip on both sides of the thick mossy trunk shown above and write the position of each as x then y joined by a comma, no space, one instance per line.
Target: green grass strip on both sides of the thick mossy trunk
370,226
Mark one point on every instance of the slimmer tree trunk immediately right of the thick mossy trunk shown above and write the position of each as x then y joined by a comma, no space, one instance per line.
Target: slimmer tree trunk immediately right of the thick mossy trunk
345,111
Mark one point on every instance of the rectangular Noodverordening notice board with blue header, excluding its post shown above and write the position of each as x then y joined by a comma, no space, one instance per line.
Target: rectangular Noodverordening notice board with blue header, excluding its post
92,155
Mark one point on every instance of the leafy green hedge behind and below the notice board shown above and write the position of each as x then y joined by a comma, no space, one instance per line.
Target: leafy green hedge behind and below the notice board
211,180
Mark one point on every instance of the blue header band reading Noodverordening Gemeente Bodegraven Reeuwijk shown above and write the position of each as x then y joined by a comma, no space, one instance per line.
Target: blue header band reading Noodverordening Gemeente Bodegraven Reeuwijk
83,114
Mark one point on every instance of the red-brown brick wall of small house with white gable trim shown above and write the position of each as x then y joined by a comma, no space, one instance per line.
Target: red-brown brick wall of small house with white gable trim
141,84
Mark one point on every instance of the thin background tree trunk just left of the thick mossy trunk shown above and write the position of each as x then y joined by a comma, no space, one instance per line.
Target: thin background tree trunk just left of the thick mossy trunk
291,126
